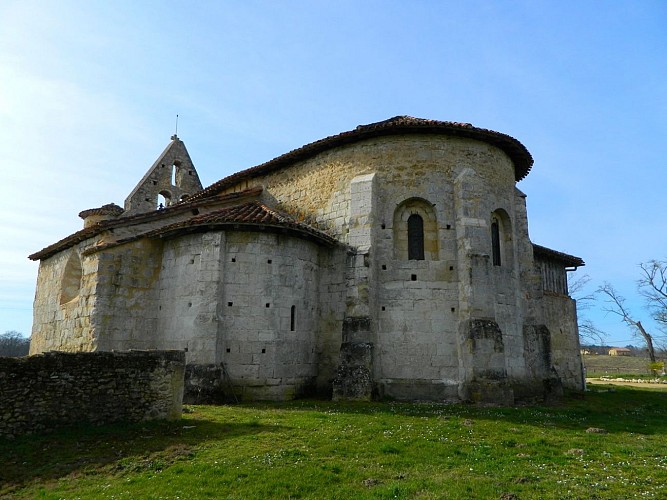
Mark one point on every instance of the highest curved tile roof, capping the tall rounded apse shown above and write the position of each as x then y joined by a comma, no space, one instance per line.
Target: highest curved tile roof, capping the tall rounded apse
522,159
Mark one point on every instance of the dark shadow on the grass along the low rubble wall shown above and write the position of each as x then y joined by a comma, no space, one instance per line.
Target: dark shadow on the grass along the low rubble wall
117,448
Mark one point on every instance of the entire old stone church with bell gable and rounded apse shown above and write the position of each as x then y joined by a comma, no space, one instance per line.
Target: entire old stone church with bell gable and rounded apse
392,260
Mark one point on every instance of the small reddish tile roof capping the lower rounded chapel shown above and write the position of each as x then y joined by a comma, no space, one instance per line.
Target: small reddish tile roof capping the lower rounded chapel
251,215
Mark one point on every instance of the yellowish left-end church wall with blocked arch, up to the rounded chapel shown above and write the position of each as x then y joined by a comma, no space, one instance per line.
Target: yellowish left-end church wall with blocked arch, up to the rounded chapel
70,318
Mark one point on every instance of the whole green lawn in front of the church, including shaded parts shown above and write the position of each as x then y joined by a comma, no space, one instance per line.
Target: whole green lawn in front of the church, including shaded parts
321,449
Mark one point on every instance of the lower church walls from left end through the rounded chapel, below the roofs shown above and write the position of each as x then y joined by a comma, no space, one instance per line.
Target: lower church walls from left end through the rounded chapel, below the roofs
250,300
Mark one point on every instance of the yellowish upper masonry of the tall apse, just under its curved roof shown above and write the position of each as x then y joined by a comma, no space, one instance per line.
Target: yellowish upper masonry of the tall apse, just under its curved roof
318,189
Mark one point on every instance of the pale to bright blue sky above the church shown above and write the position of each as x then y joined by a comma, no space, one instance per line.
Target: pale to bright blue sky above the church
89,91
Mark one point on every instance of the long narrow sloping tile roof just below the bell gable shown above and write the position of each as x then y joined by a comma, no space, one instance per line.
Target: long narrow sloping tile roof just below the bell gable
100,227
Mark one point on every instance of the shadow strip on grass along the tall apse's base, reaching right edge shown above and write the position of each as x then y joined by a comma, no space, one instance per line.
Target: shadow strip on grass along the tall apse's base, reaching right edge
614,409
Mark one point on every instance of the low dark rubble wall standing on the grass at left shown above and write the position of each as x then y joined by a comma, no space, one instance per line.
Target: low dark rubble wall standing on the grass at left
56,389
